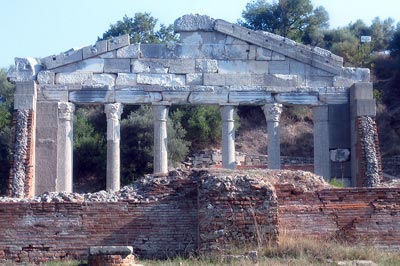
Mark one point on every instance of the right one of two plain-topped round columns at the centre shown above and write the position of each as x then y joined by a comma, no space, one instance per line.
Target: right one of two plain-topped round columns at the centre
228,137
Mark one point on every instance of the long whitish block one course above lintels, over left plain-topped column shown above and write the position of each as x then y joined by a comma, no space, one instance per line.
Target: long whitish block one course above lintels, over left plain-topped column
161,79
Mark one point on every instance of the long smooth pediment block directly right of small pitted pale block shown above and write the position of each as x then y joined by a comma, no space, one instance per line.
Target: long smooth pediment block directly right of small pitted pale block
242,66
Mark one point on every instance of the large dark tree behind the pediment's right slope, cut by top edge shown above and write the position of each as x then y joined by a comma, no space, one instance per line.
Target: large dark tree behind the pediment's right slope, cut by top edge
294,19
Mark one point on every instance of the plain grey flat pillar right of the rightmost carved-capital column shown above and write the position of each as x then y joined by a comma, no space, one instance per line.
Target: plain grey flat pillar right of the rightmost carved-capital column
322,165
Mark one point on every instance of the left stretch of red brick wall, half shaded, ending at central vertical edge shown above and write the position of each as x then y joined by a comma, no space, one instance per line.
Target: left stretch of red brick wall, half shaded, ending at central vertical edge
155,227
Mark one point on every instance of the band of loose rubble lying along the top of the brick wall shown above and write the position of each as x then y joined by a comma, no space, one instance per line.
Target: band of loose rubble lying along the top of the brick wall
153,187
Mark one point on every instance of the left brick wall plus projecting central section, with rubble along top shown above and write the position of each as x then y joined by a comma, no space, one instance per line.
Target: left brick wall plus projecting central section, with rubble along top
159,216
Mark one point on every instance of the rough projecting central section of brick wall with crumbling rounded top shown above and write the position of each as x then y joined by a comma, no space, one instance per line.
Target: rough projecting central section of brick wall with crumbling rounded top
235,210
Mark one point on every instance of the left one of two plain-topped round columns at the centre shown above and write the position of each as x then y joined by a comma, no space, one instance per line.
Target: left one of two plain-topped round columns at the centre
160,111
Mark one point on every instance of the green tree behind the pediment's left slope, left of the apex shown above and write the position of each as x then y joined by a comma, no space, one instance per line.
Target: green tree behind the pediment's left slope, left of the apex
141,29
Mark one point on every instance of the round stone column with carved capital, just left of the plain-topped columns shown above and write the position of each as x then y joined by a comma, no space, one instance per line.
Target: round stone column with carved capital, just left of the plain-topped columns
113,112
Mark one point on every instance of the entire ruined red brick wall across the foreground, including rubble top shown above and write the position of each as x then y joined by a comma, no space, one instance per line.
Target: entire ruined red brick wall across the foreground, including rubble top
199,211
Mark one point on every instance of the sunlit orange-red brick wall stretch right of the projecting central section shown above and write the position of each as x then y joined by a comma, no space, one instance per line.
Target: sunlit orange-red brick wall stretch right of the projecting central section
352,214
